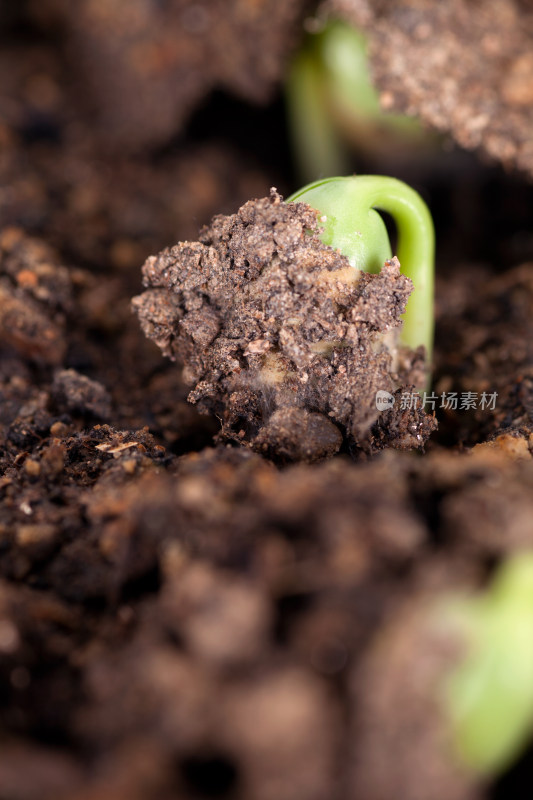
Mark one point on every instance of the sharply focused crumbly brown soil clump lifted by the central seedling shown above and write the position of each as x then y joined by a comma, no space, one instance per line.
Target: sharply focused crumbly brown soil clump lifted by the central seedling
281,338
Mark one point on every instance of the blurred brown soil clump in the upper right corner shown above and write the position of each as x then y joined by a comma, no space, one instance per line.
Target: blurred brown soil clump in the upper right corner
463,67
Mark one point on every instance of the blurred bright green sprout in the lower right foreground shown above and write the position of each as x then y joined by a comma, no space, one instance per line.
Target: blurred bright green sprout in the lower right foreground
490,695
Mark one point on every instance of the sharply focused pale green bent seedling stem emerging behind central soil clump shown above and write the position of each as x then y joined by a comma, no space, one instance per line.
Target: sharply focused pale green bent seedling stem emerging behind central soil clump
348,216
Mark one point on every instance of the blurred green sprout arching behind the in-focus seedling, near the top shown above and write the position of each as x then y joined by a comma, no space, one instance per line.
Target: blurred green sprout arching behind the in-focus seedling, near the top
332,103
